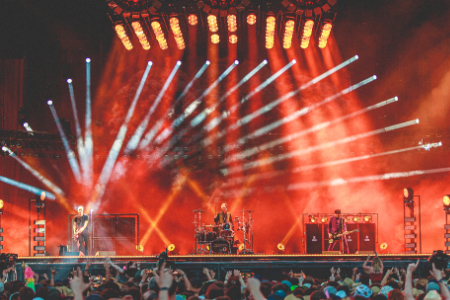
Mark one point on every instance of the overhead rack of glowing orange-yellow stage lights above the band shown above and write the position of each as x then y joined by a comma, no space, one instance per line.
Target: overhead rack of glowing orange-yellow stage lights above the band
153,23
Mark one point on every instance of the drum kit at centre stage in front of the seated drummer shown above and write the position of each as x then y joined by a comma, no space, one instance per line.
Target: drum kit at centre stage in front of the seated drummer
221,238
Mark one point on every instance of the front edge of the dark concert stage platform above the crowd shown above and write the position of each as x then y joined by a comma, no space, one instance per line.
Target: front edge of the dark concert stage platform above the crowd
269,265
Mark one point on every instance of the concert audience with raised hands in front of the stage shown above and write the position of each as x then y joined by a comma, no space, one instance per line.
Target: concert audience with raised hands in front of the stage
164,283
